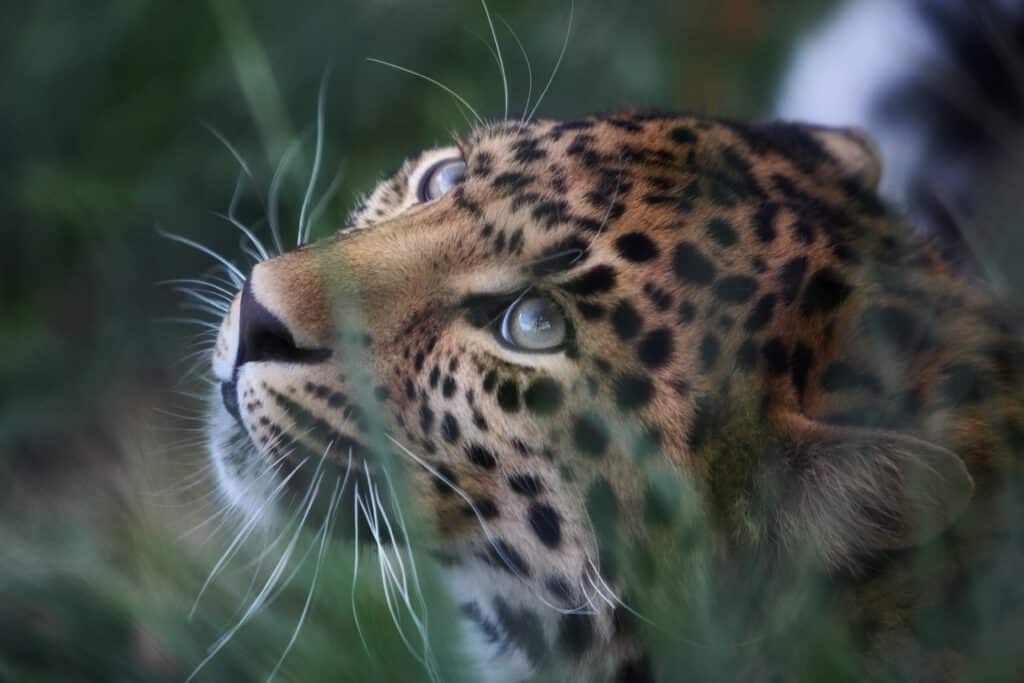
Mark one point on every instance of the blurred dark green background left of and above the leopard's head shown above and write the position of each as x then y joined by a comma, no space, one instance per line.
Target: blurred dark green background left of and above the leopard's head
106,138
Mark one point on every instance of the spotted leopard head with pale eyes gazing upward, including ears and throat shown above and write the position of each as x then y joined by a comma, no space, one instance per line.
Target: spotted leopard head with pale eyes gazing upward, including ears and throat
521,319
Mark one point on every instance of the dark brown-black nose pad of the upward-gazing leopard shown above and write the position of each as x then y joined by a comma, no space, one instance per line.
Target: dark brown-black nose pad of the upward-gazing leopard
266,338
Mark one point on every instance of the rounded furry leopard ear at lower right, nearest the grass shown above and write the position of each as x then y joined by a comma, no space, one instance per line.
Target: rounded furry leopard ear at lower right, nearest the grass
855,492
